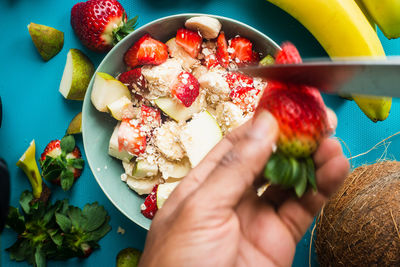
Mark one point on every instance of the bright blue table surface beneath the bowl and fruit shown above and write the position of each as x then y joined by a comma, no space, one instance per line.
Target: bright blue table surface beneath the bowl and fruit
34,109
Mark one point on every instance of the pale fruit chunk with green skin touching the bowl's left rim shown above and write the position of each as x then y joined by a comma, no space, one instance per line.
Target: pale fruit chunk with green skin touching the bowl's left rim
106,90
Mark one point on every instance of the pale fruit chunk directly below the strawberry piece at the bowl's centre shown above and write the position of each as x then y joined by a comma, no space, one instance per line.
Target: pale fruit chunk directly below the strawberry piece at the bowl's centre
176,110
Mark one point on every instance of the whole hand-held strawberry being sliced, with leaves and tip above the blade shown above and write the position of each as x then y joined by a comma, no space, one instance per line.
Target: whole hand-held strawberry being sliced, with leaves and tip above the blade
303,123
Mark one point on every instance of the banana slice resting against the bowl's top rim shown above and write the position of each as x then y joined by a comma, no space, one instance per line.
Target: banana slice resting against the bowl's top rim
208,27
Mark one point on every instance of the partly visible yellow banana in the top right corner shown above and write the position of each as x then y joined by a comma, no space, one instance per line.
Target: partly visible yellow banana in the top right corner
386,13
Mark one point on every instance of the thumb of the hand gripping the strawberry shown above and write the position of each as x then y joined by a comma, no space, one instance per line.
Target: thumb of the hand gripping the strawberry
240,166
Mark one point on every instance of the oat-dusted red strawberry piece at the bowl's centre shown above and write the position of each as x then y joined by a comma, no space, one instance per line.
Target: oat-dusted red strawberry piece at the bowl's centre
186,88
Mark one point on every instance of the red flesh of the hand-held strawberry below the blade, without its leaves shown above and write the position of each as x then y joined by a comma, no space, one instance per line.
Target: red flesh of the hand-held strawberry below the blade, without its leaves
301,117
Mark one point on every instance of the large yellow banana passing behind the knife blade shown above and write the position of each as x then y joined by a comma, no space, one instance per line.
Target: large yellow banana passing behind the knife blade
343,30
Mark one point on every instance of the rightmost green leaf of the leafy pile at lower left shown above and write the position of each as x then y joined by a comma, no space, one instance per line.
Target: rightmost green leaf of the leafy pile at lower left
95,216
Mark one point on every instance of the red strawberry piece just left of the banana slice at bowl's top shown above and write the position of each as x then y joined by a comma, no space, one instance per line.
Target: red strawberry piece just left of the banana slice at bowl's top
189,40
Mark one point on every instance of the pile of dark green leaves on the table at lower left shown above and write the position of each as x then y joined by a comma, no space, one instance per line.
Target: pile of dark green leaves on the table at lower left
56,231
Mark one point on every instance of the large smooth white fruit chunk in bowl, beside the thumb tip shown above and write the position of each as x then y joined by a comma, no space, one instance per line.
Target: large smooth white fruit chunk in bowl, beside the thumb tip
199,136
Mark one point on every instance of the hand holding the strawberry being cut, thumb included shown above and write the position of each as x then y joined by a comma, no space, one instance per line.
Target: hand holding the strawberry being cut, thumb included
215,218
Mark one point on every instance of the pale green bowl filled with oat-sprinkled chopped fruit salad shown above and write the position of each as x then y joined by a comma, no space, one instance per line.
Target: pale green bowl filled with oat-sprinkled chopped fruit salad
171,97
